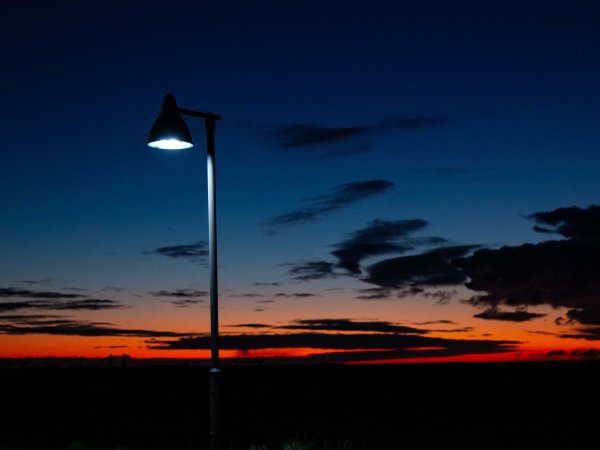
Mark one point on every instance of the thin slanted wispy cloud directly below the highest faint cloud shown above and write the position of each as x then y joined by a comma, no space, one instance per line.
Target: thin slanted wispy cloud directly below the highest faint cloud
342,196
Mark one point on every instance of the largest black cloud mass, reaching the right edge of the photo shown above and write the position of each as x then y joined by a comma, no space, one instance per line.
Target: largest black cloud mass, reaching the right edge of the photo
558,273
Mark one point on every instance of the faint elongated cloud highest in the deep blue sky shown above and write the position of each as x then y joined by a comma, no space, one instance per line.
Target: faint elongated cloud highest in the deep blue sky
338,141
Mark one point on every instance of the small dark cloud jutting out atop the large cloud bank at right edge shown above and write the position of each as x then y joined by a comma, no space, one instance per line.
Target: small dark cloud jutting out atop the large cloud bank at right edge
571,222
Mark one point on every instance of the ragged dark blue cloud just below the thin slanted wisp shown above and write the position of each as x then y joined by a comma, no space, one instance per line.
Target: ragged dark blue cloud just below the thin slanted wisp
380,237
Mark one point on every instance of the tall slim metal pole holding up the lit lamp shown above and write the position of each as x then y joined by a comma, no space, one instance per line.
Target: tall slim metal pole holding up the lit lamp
214,296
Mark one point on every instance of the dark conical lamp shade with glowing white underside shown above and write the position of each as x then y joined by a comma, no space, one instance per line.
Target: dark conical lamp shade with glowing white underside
169,131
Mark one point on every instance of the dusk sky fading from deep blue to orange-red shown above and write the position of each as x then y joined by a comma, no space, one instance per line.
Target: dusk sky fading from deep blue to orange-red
396,181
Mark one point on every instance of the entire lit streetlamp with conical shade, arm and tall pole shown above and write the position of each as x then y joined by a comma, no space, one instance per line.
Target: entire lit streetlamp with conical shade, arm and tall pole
170,132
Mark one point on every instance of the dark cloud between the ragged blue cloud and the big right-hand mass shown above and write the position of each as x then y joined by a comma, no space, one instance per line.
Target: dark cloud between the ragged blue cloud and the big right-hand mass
429,269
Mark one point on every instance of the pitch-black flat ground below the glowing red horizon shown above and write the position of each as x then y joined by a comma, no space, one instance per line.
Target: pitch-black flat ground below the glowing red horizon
464,406
